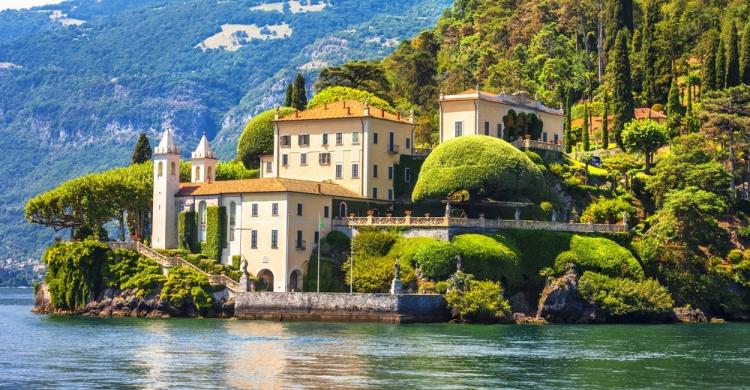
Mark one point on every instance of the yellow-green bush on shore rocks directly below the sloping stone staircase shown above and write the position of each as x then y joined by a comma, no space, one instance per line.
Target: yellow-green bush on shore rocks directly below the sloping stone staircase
185,285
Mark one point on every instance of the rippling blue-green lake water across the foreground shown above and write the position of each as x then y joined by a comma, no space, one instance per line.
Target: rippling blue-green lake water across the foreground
64,352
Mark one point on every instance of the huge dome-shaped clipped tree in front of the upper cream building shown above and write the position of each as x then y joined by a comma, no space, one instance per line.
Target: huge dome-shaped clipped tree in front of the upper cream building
482,165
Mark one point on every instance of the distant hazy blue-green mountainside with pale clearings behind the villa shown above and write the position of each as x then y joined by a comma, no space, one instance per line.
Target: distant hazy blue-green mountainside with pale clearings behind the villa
81,79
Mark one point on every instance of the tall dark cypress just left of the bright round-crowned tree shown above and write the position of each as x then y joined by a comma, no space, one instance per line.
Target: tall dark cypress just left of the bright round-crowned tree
623,106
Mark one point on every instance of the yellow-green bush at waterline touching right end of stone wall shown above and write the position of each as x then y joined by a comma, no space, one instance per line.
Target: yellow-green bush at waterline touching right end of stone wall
481,302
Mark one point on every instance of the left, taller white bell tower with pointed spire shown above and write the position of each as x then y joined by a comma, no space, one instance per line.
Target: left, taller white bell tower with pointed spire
166,184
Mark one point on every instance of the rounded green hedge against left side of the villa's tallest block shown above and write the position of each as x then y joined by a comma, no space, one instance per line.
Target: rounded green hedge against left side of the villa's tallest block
257,137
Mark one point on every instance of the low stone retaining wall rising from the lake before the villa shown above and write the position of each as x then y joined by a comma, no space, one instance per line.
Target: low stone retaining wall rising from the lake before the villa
343,307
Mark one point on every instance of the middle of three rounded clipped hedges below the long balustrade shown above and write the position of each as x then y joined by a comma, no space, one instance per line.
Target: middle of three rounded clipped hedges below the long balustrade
489,257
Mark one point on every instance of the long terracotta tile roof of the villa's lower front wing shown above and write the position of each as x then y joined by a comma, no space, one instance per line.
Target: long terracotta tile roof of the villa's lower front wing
265,185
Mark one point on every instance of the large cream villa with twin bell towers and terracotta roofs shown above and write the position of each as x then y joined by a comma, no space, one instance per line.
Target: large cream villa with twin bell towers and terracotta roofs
328,162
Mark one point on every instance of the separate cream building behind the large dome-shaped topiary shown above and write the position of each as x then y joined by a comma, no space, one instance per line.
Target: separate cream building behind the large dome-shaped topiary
476,112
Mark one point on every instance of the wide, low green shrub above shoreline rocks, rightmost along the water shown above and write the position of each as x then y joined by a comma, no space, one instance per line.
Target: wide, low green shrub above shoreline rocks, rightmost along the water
625,298
